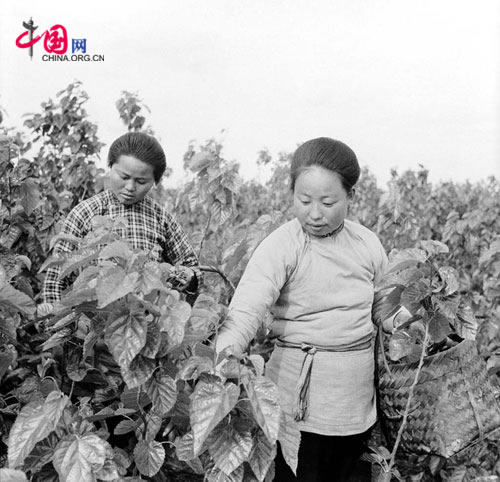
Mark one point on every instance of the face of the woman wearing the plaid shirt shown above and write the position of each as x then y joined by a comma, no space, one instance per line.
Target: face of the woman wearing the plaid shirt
131,179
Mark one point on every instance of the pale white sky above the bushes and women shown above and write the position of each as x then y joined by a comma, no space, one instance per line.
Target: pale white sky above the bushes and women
402,82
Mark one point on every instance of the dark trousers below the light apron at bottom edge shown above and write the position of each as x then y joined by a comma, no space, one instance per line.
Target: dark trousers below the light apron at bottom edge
325,458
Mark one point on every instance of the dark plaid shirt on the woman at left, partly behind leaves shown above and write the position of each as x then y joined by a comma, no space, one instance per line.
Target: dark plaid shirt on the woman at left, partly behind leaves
149,226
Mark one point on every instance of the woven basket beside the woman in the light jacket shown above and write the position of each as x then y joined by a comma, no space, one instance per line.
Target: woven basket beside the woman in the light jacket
453,404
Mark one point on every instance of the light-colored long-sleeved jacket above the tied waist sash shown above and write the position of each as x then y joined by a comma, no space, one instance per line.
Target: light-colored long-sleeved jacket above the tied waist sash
319,290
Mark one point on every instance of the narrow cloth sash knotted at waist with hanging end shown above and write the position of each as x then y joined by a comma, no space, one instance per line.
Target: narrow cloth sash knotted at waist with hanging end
301,392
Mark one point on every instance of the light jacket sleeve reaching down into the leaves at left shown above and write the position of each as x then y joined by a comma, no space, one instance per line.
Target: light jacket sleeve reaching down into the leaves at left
259,288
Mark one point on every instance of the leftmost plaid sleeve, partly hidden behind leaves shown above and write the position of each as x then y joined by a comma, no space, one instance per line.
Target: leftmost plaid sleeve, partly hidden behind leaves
74,225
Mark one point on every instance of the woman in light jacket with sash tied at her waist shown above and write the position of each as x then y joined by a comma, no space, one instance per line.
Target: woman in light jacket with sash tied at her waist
317,275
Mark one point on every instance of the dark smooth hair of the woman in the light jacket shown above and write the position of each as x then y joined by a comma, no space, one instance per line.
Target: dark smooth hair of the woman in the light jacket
330,154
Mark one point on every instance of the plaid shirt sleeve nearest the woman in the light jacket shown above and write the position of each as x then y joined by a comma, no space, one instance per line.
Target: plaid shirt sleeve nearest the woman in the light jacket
178,250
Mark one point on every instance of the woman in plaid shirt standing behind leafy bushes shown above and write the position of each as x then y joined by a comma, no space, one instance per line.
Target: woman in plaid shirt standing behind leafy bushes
136,162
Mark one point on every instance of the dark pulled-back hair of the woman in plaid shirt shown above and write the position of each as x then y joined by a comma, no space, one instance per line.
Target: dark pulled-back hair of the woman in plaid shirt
142,146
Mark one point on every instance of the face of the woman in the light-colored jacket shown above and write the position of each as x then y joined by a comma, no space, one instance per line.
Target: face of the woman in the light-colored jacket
320,201
